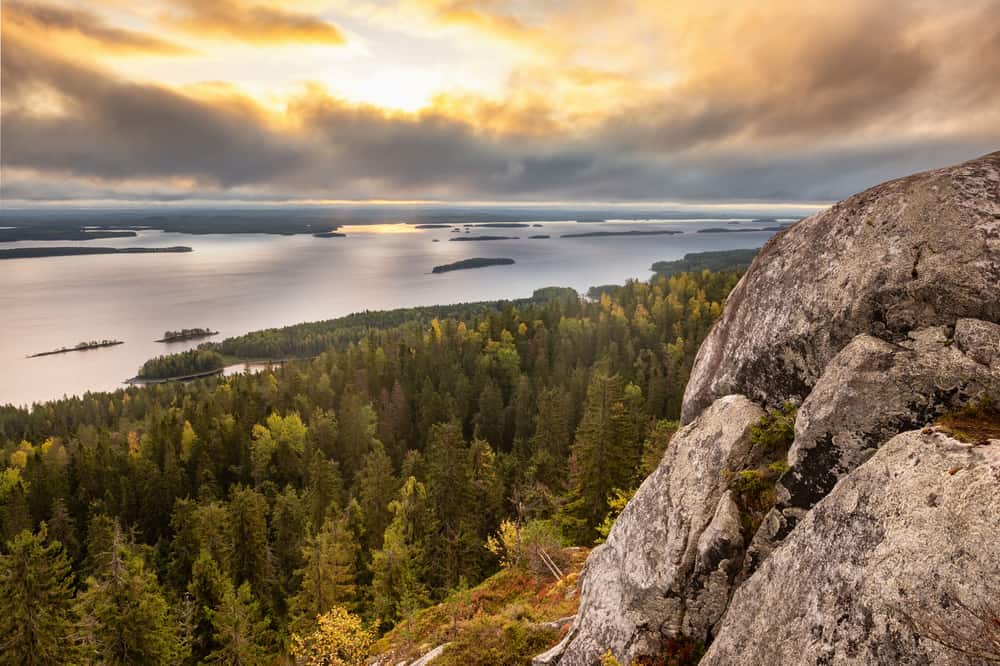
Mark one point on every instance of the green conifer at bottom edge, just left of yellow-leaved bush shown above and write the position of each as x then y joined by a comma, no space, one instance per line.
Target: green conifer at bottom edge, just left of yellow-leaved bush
241,632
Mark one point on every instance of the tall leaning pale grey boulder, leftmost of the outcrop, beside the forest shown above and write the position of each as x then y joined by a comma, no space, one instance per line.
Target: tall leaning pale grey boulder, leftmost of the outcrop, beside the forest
668,564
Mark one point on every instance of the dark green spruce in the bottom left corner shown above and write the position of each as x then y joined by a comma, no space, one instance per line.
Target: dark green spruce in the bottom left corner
36,602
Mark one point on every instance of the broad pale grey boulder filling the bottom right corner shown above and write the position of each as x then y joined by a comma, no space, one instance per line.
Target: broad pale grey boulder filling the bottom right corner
901,558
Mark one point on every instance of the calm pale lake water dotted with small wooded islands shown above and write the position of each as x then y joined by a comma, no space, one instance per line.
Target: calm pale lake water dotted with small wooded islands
239,283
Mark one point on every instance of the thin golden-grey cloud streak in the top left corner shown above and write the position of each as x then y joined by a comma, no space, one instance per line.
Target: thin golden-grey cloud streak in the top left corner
51,21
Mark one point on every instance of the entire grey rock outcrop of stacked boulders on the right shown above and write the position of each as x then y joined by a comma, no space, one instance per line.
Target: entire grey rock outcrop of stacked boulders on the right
876,317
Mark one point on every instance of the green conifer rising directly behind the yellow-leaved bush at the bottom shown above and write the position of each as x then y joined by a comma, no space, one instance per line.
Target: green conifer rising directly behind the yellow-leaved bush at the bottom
328,575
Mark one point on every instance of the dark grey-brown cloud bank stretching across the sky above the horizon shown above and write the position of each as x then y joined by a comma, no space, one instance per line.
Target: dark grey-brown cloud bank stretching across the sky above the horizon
807,137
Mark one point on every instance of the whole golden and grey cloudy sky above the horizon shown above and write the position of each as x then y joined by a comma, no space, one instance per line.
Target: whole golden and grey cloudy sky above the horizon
645,101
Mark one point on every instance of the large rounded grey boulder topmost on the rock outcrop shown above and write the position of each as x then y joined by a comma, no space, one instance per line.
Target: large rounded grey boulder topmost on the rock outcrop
915,252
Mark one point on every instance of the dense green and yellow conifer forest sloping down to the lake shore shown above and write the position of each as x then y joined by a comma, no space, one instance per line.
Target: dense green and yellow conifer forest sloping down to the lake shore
260,518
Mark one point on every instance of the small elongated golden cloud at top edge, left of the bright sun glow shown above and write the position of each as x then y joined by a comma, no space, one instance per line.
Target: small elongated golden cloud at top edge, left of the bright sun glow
251,23
